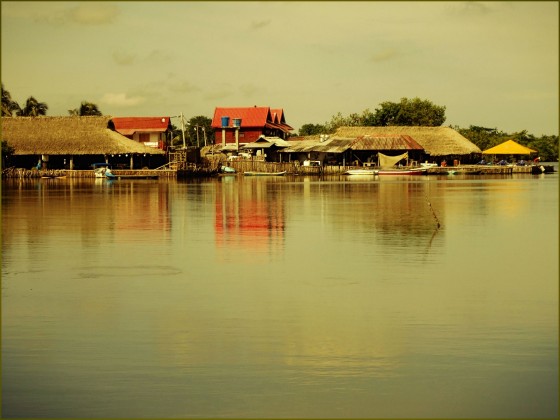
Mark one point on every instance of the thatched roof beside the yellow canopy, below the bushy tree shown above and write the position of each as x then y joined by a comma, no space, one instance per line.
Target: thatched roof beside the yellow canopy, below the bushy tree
436,141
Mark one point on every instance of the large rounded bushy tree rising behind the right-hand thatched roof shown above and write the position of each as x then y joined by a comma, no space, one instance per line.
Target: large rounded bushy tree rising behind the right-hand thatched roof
409,112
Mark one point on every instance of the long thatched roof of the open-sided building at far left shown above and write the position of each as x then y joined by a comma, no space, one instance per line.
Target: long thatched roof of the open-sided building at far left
68,136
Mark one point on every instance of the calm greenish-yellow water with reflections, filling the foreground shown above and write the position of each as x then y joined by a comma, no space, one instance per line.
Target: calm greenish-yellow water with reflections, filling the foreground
281,297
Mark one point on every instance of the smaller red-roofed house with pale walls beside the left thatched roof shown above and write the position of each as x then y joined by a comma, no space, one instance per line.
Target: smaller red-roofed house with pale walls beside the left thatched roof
152,131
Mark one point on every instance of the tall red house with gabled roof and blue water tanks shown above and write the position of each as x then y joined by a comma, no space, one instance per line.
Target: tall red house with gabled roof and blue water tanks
254,122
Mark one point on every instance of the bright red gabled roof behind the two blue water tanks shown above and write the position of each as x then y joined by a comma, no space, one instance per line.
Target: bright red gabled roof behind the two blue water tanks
251,117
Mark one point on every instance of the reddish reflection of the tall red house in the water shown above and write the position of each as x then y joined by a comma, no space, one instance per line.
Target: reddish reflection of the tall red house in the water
249,216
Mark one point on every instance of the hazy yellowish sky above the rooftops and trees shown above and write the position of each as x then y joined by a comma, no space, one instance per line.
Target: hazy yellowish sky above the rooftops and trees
491,64
